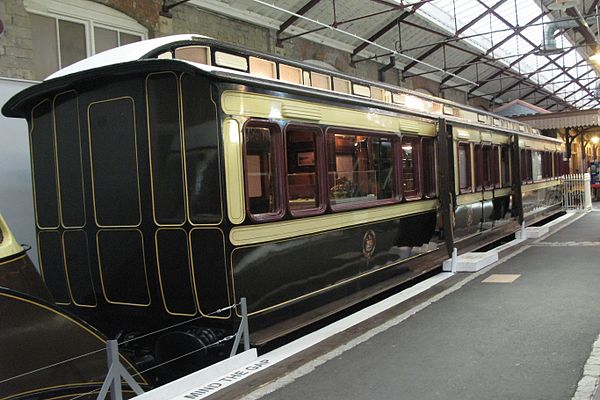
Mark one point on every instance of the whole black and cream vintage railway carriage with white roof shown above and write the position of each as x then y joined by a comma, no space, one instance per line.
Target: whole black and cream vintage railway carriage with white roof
174,176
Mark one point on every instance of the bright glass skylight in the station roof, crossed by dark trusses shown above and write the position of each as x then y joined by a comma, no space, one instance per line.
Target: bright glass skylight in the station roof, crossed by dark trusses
486,33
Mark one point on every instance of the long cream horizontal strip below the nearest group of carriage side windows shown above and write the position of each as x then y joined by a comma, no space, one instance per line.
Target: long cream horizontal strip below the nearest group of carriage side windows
253,234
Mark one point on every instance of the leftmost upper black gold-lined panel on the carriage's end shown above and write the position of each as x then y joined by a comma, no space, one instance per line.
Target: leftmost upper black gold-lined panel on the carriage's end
44,166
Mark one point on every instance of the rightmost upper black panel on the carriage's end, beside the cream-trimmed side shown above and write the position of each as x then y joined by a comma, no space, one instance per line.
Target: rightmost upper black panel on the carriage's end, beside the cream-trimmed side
201,152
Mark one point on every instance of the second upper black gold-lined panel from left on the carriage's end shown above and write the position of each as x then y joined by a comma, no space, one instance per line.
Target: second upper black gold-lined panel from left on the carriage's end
68,149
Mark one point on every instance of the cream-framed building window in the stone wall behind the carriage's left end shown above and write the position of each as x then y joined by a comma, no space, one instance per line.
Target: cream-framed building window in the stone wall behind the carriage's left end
66,31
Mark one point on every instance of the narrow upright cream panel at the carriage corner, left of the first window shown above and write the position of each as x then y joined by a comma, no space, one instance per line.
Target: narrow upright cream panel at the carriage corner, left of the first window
234,174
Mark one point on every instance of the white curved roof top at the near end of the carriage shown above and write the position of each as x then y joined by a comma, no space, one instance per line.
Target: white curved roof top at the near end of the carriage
118,55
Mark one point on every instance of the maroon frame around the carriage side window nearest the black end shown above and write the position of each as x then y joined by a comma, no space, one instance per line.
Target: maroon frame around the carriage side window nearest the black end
278,172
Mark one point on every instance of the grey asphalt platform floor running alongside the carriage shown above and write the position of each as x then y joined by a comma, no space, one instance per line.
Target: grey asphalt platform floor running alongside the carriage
527,332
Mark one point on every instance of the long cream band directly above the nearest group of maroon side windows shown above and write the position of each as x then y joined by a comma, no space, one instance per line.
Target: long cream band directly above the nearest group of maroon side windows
271,107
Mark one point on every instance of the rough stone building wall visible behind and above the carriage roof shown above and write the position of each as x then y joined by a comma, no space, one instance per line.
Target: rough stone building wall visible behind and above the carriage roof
16,45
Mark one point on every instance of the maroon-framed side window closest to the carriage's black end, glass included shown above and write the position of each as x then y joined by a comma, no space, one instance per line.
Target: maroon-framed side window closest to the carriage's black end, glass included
262,187
